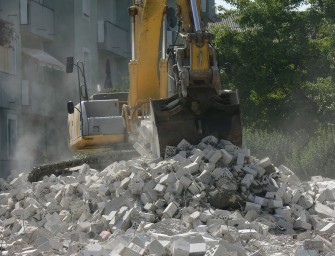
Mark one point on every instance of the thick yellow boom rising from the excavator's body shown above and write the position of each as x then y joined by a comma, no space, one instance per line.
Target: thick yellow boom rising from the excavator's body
144,81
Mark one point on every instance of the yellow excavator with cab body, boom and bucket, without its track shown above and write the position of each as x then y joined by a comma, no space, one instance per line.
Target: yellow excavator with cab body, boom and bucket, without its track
197,108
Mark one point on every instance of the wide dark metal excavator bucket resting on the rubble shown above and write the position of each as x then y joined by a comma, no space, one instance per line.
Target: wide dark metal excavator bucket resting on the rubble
174,121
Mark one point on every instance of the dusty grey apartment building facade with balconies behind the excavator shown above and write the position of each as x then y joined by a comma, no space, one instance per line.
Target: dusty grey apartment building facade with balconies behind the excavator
34,87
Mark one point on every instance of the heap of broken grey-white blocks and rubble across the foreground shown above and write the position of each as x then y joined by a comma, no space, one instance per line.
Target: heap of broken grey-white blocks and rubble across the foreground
210,199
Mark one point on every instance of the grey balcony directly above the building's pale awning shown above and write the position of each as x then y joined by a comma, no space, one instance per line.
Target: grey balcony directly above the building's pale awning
37,19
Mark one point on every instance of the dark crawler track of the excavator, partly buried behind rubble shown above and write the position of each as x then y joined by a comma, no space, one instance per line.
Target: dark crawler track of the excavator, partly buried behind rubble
97,161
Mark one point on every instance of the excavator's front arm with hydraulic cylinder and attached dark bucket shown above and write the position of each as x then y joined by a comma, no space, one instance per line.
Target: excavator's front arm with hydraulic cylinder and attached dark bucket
200,108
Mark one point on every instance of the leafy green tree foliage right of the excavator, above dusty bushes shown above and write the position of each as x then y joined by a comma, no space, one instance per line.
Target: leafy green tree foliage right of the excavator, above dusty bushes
281,59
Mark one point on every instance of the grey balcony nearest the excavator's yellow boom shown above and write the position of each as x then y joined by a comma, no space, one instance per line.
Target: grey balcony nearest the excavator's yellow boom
113,38
